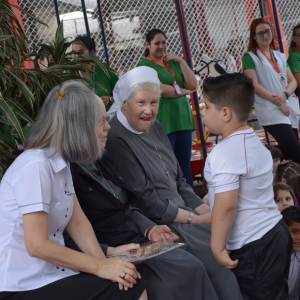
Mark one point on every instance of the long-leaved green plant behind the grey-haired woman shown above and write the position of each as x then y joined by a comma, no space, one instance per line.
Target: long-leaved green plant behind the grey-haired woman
23,91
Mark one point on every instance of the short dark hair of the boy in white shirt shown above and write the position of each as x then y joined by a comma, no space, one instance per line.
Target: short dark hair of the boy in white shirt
235,91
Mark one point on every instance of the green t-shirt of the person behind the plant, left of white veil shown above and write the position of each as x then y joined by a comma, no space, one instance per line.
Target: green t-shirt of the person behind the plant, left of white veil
105,82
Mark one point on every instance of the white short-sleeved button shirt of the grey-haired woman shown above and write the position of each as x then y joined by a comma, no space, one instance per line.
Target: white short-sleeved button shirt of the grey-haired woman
34,182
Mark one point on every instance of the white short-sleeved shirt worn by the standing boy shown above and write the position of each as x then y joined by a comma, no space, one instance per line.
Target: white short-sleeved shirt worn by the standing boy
242,162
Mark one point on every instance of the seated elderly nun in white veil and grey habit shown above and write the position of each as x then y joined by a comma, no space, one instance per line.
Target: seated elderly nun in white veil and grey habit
139,147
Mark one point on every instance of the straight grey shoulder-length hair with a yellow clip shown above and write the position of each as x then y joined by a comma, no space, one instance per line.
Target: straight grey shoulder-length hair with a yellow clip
68,126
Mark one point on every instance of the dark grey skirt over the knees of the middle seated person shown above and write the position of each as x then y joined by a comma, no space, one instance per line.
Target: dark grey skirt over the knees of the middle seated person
183,277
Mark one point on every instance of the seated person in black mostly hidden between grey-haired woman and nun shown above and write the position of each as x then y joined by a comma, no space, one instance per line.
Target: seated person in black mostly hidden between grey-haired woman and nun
106,201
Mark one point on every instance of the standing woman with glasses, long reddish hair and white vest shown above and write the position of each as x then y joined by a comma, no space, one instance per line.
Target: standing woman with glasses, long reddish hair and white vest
276,105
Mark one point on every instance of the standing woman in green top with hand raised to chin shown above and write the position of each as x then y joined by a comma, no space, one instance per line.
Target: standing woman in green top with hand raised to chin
174,109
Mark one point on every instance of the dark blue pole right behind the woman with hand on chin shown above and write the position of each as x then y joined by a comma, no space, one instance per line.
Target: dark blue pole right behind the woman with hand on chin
182,25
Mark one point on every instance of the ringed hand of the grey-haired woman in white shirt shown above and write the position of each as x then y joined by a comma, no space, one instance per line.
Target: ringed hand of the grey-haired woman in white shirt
118,270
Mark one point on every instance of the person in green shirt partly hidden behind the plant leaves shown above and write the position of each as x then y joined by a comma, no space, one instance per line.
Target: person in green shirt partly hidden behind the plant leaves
107,84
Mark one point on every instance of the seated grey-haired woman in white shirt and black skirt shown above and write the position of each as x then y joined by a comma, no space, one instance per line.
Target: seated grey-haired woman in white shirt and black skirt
38,203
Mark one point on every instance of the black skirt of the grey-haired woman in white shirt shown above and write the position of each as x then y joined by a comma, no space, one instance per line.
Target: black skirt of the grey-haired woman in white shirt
83,286
